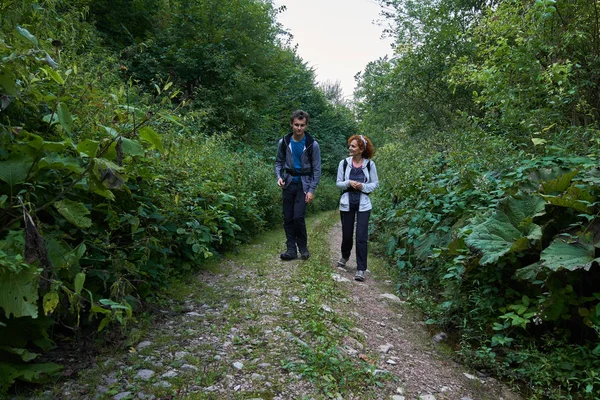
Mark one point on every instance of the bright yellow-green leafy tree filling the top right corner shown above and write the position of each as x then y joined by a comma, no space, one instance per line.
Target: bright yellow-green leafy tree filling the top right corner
536,73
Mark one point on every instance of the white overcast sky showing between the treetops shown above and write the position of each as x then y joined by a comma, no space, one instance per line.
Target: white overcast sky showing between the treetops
337,38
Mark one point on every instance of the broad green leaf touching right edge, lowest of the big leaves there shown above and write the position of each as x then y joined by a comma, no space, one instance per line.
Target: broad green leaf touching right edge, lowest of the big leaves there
571,256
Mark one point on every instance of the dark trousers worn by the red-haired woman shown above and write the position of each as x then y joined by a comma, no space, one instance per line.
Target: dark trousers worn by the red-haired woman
362,235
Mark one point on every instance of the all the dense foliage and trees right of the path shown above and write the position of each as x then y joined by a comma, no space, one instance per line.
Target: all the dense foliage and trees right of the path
490,181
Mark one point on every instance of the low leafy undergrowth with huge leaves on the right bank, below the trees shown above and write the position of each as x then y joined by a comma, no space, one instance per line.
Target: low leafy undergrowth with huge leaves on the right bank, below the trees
504,255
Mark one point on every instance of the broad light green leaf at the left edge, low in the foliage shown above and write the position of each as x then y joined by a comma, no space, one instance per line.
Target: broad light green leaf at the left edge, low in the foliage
18,293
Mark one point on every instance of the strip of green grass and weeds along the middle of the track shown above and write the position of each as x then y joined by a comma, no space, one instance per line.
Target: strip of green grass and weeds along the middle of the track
334,372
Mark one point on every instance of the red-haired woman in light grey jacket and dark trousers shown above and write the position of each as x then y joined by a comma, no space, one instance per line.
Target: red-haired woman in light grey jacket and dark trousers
357,177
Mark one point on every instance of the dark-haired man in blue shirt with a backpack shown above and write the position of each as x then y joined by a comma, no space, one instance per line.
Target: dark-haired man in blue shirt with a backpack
298,171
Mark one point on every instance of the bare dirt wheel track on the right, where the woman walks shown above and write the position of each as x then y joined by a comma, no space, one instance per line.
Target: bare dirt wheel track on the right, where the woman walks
412,356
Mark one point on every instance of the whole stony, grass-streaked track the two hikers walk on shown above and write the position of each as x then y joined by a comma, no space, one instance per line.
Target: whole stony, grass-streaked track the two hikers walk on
255,327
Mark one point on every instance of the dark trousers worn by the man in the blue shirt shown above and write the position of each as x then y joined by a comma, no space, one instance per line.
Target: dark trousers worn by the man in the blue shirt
294,211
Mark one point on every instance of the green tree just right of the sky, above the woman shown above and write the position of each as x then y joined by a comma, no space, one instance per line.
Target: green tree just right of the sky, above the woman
413,87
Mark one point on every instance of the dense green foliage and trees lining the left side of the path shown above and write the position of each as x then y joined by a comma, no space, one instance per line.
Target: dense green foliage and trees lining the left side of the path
131,152
